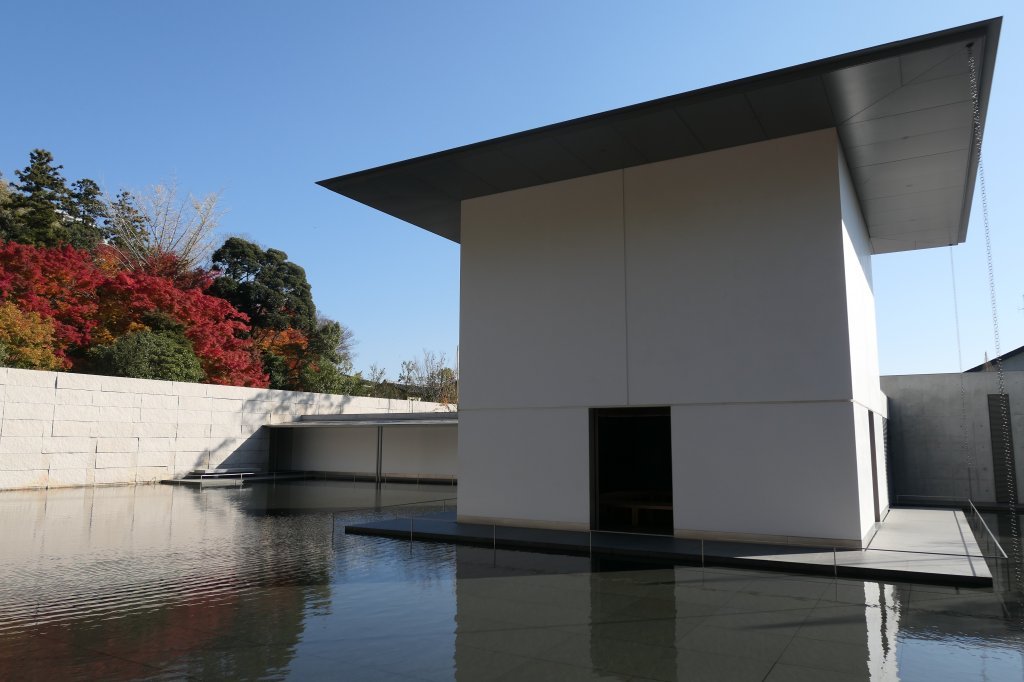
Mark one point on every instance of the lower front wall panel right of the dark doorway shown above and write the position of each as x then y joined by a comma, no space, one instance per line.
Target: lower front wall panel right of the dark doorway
783,472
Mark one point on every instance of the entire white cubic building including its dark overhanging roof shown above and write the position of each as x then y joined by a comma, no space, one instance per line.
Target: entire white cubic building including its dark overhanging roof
668,322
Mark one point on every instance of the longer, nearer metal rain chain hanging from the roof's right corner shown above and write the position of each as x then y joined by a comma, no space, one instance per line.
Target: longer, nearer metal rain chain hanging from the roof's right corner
1017,558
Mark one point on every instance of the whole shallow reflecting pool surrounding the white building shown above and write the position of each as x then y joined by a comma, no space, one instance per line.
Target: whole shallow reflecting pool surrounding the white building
262,583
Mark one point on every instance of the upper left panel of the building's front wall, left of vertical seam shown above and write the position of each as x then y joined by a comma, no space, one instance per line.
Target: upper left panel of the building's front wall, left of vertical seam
543,297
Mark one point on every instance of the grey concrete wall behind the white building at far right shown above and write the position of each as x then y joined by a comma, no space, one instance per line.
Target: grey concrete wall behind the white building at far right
927,443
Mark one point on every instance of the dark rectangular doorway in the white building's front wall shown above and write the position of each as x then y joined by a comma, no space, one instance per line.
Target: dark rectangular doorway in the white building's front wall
631,471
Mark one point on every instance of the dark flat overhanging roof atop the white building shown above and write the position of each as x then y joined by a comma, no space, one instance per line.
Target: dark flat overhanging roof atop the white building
904,113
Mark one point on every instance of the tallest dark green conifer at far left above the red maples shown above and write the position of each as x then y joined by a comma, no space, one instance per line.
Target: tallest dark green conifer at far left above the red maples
45,211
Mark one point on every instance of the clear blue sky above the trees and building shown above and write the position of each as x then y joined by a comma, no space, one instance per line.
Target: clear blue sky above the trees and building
261,100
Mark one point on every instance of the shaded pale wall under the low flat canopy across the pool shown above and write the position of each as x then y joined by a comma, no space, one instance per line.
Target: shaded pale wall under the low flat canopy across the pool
407,451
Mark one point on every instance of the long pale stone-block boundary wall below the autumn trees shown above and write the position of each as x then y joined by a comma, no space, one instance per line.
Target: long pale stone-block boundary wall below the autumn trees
73,430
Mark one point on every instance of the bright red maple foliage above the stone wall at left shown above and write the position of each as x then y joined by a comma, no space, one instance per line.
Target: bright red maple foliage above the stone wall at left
90,302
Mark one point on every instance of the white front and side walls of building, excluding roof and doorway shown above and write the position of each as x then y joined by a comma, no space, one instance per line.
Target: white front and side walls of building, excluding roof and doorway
721,285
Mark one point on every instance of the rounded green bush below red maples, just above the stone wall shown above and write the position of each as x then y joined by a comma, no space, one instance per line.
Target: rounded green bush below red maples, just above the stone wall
149,355
